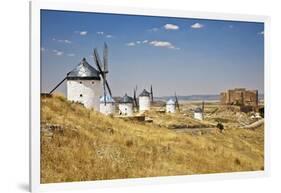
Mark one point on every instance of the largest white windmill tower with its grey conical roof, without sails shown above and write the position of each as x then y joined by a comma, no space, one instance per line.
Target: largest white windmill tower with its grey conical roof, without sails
84,85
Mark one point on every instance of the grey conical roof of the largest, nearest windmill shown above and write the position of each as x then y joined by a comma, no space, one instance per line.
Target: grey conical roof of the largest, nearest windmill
83,71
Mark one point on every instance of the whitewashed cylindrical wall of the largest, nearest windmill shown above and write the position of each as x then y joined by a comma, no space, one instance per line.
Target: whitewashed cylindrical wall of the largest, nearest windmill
90,91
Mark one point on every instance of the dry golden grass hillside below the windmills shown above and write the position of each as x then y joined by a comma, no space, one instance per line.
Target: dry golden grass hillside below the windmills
81,145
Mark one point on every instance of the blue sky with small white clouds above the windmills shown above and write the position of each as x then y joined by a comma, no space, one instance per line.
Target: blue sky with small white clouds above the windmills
187,56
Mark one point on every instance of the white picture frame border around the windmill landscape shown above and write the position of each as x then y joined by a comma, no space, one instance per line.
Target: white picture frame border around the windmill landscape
36,6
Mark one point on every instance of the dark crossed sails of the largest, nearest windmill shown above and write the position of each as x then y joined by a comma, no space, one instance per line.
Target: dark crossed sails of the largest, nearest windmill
103,69
